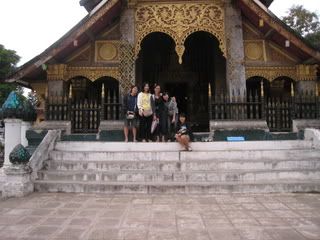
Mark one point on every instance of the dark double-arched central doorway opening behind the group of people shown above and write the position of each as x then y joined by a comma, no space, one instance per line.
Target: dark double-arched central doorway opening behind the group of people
203,65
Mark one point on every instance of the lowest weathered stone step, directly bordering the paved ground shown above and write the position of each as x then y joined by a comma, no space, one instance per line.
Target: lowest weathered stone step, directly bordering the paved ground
176,187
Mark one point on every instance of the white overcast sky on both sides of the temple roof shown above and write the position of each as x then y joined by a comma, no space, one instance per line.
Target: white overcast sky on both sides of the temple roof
30,26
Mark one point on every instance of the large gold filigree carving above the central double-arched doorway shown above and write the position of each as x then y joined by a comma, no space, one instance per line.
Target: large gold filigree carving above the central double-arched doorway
179,20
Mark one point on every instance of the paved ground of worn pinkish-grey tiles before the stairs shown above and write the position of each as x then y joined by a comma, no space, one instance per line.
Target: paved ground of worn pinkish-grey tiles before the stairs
221,217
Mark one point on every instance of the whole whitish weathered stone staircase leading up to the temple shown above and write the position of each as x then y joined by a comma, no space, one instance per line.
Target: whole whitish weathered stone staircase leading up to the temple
212,167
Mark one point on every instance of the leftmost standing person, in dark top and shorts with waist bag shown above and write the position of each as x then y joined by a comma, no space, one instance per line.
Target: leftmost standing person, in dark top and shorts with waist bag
130,113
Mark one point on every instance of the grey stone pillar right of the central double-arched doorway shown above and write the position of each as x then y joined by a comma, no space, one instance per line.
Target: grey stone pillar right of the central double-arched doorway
235,56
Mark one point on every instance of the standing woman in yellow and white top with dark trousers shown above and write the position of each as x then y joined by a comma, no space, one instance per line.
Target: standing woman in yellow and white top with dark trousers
146,109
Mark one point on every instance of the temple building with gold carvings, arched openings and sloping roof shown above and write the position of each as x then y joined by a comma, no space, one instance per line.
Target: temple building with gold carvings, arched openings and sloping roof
223,60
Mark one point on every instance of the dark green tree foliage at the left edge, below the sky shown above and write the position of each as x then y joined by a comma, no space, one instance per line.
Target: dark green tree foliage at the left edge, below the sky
8,62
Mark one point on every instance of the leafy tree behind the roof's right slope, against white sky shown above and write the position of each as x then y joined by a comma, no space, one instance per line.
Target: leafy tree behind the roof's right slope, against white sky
304,22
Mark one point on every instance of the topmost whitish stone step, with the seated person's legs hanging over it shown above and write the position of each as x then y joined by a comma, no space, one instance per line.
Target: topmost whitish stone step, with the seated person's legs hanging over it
168,147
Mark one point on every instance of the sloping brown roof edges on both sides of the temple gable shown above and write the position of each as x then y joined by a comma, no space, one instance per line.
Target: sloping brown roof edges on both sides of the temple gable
104,13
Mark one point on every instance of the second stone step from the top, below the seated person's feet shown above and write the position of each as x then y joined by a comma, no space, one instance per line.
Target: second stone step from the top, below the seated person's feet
293,154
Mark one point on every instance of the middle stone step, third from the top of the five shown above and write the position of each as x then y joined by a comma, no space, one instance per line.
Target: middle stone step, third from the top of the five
205,165
